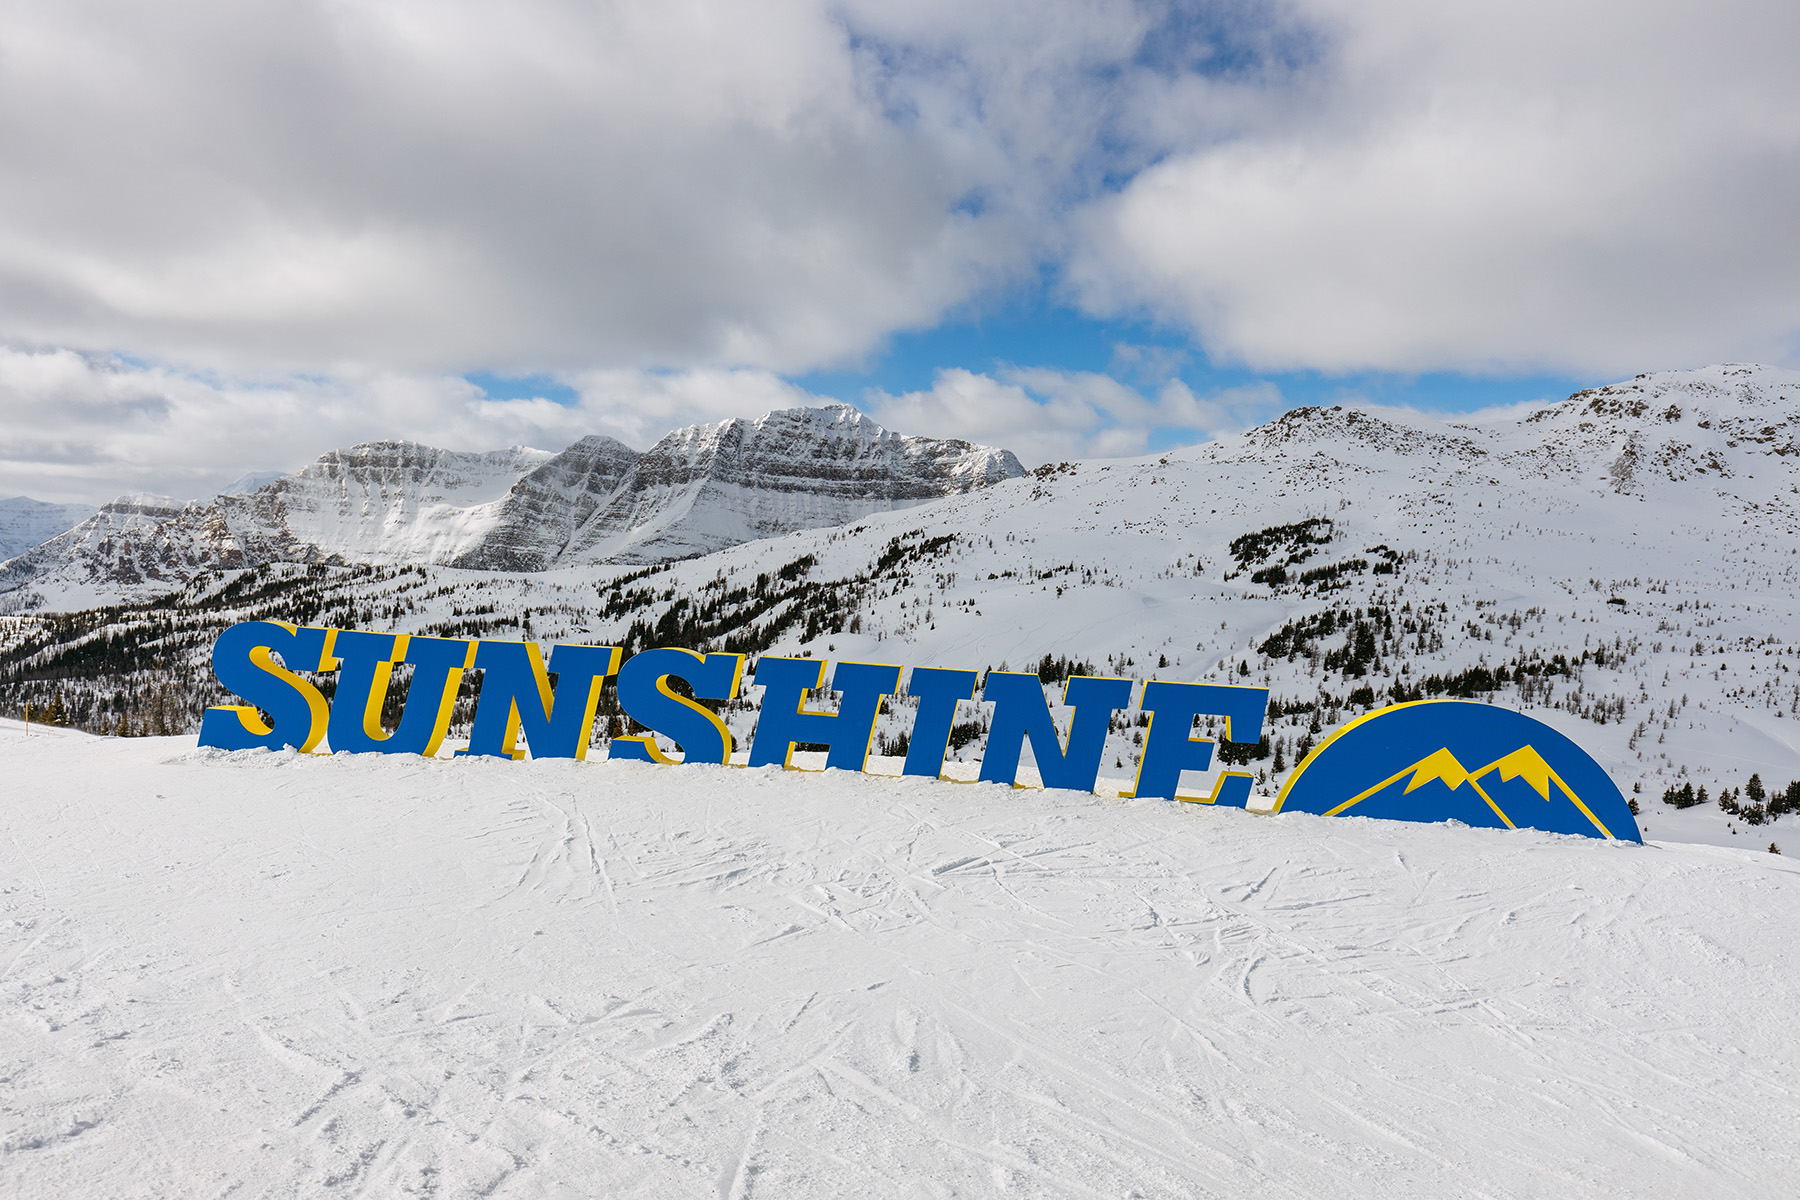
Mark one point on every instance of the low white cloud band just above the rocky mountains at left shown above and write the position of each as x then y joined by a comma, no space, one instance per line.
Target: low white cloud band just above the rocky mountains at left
85,429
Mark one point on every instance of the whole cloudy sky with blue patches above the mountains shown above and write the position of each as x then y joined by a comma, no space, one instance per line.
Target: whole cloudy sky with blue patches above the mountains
237,235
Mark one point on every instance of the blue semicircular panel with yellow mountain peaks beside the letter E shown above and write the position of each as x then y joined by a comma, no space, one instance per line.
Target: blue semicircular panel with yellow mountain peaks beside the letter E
1479,764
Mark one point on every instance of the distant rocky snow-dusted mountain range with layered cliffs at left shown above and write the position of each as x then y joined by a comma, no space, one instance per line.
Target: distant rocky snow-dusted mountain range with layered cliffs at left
699,490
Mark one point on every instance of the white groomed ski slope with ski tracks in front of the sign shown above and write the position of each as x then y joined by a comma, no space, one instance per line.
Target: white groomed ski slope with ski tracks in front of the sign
276,976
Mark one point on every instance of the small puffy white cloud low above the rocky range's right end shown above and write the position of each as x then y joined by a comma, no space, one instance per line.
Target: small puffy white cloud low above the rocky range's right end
1048,416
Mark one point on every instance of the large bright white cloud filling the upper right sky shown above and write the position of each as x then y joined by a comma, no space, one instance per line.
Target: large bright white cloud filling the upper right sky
1596,188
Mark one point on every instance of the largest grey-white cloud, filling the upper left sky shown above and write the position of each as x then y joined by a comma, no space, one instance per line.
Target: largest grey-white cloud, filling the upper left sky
537,186
